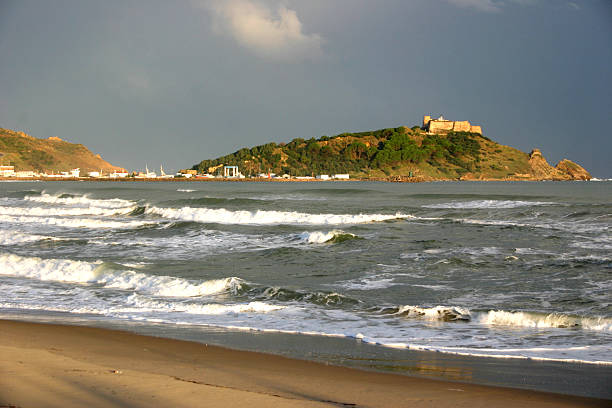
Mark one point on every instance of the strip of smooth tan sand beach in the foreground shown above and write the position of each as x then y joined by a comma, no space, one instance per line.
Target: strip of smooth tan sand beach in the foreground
61,365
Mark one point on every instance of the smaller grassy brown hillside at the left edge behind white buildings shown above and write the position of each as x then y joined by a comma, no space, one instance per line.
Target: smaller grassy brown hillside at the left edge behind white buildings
47,155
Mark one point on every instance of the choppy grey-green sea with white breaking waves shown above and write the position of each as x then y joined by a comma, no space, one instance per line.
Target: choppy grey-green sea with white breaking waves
502,270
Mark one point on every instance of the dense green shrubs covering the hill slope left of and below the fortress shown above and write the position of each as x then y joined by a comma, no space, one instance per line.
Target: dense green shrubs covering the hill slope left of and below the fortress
349,153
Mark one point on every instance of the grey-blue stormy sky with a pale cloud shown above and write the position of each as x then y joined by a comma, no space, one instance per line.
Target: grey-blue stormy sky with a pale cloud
174,82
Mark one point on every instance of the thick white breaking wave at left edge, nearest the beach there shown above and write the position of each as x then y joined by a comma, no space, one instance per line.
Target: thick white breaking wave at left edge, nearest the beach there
112,276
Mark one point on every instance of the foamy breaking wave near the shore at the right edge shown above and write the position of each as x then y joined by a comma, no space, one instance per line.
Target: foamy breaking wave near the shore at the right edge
543,320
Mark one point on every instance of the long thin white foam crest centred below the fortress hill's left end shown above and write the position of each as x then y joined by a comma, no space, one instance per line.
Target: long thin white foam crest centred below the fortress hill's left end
261,217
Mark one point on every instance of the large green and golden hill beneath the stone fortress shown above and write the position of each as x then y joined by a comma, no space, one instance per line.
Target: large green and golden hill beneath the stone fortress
400,153
